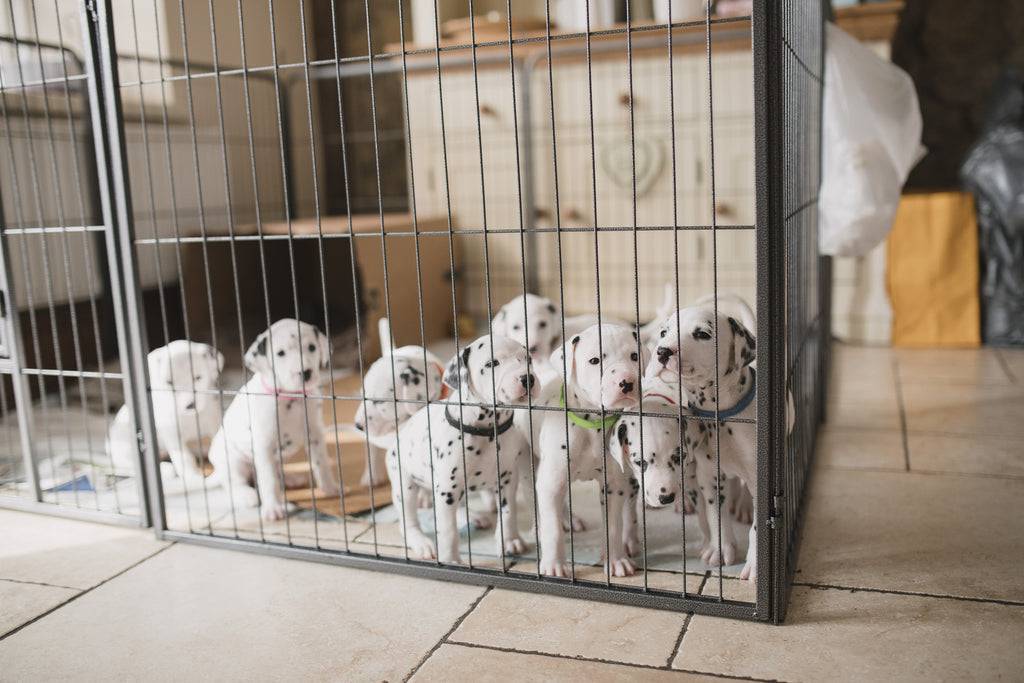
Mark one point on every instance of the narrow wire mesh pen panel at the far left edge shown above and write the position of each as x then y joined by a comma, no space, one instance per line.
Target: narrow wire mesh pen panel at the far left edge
61,369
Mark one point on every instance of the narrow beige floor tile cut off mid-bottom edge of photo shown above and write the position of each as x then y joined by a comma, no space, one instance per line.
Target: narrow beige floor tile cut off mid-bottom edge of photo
459,663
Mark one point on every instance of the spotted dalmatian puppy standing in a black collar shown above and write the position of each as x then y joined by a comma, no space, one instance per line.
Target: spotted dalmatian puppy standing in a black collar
460,446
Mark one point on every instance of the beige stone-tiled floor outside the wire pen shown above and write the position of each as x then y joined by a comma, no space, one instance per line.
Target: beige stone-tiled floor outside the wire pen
911,570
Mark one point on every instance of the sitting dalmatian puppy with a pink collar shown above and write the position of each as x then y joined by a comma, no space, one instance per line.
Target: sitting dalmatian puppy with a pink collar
273,417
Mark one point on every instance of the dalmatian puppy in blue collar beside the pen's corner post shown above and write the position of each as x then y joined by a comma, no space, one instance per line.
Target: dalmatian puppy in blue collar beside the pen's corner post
686,355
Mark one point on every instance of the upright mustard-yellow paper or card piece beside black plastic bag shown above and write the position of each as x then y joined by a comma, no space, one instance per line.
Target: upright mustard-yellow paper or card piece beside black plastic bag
932,272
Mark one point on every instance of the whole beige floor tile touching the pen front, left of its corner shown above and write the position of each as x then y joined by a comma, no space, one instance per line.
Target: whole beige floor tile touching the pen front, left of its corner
573,628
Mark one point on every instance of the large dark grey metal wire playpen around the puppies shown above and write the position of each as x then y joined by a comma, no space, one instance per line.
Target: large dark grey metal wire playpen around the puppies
199,172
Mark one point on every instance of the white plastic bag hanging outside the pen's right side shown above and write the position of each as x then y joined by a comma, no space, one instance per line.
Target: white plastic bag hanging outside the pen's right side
871,141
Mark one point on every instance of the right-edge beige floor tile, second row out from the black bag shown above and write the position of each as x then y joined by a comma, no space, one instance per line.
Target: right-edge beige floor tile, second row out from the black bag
964,409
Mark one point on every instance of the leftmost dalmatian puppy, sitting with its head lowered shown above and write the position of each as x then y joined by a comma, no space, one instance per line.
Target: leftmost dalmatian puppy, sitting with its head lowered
184,378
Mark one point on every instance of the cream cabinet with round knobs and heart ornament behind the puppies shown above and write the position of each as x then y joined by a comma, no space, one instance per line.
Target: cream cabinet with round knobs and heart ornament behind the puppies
574,149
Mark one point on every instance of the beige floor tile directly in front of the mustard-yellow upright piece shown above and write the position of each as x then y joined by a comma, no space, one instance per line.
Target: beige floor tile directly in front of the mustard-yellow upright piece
980,366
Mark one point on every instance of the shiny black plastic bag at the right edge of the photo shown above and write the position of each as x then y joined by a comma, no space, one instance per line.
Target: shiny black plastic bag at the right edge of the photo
994,172
